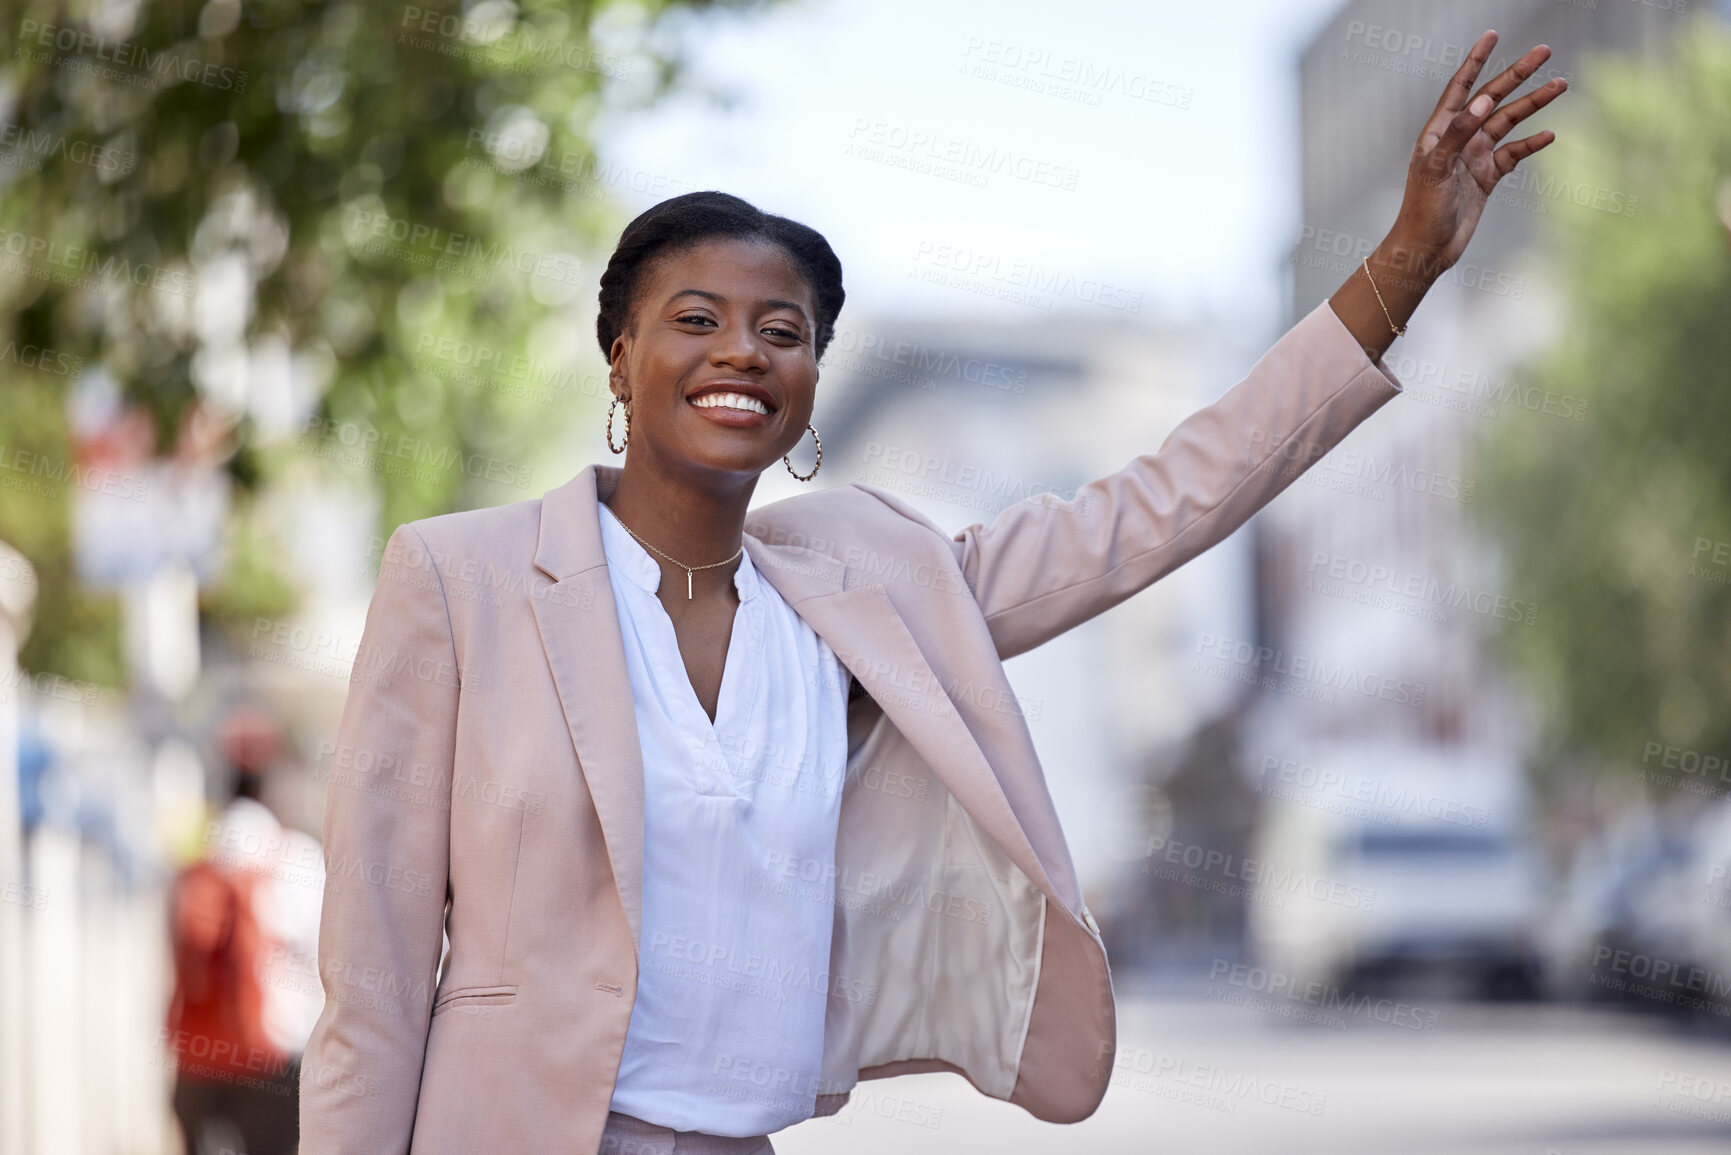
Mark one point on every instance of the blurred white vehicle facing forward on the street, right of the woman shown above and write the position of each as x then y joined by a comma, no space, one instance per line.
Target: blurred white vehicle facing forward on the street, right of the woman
1400,867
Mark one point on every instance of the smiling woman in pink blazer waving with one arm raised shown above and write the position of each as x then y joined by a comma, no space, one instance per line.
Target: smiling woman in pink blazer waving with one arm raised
721,813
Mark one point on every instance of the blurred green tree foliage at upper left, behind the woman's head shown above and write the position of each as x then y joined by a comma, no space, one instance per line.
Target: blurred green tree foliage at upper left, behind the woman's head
323,238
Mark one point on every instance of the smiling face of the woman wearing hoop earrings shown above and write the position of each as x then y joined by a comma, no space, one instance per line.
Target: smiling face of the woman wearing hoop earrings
719,363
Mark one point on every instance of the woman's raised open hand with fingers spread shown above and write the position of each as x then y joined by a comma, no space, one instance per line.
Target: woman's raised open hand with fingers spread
1457,162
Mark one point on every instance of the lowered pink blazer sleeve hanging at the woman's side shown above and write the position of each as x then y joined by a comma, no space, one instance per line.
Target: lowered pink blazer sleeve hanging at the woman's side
387,868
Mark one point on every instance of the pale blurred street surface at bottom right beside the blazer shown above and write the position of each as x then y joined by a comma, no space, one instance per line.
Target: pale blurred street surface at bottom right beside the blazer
1200,1076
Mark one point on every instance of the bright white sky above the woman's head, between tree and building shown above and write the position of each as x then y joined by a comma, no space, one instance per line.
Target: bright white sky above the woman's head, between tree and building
1133,160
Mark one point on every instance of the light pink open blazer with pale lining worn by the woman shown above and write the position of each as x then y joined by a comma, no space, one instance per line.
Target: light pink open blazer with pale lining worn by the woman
480,941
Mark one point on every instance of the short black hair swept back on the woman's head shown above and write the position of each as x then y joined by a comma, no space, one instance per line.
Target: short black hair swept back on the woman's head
688,221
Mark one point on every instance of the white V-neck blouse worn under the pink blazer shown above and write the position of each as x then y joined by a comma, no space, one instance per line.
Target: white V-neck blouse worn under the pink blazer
740,842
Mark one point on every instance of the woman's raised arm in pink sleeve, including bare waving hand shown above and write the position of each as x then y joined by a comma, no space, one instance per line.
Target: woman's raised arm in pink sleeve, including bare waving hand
1045,567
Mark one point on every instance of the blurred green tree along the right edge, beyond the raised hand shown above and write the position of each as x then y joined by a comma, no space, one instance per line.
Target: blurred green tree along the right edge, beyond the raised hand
1623,529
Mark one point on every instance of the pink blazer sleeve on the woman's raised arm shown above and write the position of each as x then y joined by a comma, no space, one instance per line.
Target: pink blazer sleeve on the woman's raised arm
1048,565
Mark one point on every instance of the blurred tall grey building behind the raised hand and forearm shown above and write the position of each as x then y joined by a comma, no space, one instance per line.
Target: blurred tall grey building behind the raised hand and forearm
1372,562
